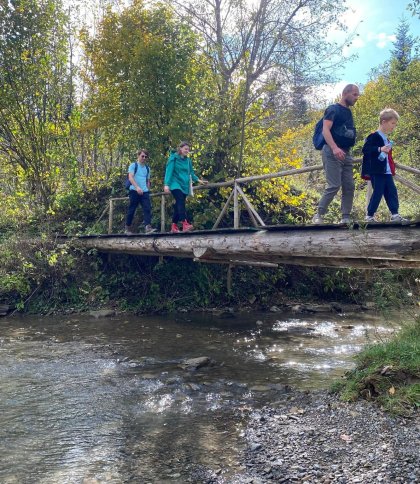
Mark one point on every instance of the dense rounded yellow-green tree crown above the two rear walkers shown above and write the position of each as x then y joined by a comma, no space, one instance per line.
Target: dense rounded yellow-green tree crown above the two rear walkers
147,84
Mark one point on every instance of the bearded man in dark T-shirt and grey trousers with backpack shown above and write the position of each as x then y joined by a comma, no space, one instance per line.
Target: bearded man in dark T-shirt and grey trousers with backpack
339,135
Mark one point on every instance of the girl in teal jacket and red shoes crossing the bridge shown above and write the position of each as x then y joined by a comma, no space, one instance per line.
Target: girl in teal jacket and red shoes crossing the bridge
179,176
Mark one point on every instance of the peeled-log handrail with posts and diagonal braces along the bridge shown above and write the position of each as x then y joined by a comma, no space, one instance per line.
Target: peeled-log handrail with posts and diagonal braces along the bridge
238,193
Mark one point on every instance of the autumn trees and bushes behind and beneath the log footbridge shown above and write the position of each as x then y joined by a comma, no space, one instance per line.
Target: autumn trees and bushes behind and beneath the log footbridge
82,87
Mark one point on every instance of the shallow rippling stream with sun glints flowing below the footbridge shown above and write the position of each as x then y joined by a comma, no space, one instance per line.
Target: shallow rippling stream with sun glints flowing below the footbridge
85,400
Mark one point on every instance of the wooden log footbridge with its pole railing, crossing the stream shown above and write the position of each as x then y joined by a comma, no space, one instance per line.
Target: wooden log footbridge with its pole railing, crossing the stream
359,245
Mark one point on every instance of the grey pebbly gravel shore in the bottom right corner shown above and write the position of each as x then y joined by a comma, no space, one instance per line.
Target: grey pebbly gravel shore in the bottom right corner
315,438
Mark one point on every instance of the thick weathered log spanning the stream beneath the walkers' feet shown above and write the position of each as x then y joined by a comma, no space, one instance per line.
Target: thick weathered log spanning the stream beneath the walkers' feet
381,246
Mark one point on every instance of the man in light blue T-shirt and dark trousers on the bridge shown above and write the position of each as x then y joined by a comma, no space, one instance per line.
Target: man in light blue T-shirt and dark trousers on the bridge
138,184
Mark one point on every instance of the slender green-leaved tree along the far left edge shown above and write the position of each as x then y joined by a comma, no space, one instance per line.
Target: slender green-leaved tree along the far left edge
35,93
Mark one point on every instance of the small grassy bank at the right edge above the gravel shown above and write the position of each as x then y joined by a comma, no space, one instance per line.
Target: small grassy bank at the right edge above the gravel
388,373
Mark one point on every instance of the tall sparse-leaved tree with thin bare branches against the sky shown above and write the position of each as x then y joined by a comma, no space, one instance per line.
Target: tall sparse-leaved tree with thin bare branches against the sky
246,43
